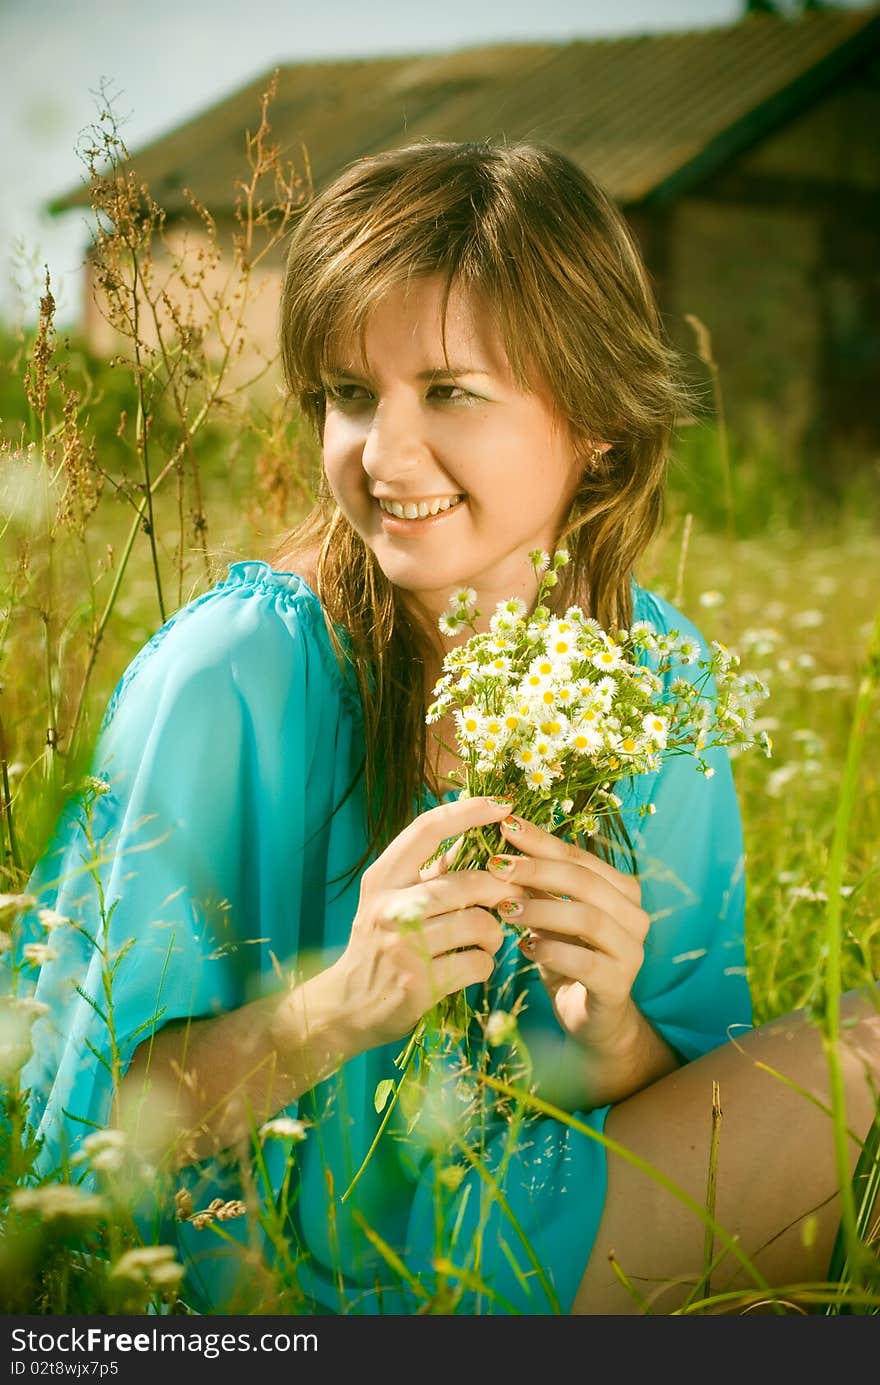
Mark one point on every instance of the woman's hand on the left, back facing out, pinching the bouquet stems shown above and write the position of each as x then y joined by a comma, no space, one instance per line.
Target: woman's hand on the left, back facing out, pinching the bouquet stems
419,934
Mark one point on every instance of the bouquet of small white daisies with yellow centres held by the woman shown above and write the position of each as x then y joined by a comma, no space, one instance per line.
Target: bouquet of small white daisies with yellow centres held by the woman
554,711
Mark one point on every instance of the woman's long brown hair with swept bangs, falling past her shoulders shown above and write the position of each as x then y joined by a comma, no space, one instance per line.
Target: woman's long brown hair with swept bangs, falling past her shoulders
525,231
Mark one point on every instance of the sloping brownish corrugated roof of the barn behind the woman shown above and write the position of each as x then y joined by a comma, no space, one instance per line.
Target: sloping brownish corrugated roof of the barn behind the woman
648,117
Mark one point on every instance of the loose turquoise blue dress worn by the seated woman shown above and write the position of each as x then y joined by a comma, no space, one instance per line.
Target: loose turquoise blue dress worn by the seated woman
228,750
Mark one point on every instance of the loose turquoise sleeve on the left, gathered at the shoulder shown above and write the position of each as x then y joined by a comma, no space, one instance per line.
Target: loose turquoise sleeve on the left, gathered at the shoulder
196,873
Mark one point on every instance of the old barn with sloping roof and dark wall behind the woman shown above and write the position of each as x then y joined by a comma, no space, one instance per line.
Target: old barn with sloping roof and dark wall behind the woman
746,159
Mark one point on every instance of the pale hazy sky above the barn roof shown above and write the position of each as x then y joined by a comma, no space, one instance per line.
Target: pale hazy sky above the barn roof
167,60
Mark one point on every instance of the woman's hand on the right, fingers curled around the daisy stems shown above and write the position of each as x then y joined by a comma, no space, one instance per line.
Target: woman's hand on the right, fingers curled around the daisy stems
587,933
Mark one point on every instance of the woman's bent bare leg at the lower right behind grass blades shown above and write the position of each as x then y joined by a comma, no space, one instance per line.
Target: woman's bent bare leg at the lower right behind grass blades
775,1164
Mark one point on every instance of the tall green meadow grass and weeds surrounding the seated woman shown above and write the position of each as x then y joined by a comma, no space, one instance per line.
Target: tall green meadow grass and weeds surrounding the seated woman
127,488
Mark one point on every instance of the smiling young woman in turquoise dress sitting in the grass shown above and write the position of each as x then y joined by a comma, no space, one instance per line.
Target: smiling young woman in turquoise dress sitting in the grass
473,336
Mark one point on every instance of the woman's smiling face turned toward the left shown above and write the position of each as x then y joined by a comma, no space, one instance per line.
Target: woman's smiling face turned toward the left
446,467
